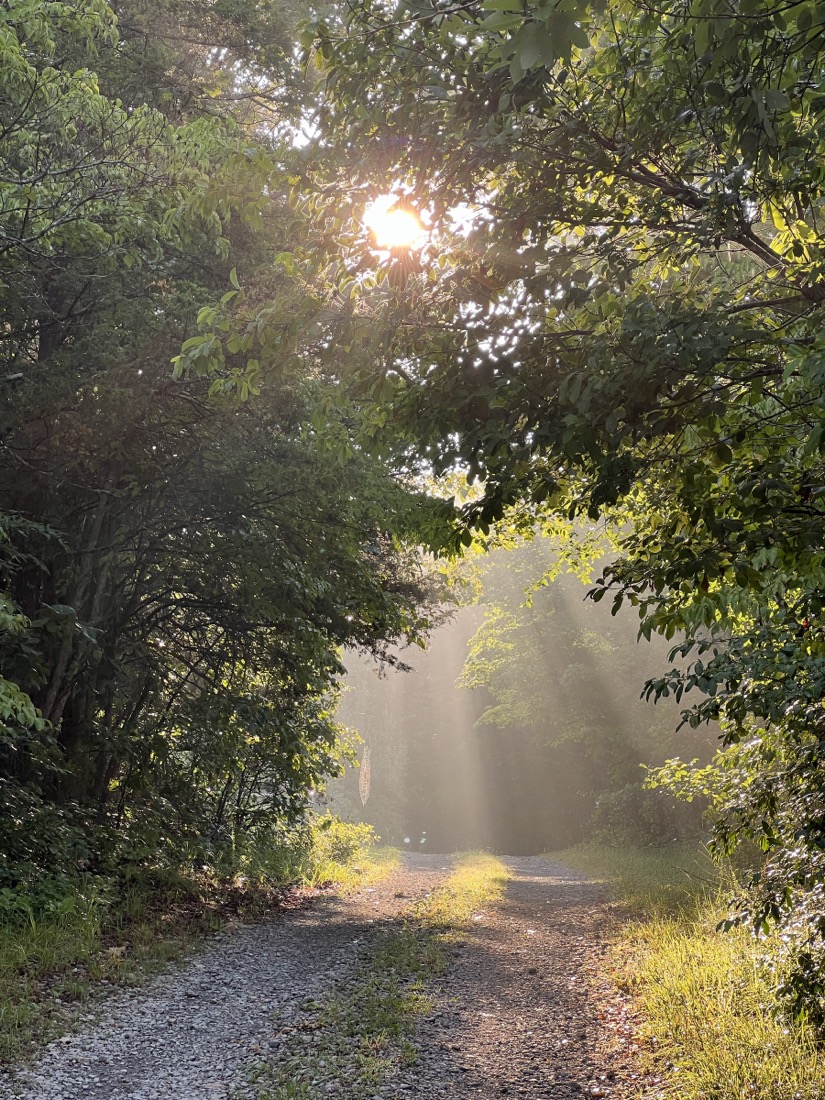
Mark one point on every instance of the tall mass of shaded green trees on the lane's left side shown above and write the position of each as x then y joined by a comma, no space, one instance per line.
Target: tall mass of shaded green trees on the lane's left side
178,574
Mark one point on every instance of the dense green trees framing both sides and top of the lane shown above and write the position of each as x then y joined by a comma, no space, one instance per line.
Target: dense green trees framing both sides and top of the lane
615,320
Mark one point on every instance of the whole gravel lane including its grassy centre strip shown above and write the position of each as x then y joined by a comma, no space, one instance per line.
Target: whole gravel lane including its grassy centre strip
514,1004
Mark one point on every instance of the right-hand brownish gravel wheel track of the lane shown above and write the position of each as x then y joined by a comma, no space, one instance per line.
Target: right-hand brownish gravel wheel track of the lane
526,1010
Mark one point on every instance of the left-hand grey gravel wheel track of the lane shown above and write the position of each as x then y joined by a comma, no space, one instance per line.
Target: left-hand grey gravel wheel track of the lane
195,1032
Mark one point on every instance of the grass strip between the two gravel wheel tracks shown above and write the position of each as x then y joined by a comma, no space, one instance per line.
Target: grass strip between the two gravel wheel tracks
362,1035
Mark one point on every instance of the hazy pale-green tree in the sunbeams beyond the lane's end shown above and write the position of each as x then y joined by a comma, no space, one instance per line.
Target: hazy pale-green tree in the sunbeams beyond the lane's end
570,674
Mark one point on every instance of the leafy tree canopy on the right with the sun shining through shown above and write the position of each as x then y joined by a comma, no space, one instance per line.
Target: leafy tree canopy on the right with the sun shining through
629,324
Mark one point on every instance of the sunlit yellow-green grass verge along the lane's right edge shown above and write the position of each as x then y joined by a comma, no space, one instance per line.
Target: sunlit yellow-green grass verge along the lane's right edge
710,1019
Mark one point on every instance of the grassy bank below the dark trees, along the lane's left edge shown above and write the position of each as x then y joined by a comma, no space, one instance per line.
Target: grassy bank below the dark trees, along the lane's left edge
103,933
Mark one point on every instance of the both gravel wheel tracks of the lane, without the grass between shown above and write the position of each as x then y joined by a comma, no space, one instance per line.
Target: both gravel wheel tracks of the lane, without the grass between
521,1014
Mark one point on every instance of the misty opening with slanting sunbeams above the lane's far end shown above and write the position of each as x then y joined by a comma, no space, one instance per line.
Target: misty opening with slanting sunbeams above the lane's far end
520,729
